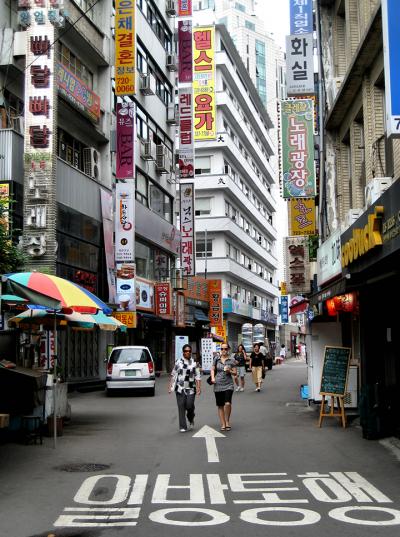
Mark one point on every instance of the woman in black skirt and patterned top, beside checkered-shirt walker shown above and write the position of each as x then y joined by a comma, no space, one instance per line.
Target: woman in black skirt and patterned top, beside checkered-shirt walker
222,373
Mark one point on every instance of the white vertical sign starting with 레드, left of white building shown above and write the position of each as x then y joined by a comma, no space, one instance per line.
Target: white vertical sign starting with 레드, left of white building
186,135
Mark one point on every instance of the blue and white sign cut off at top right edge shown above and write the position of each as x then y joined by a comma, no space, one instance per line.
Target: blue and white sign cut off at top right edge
391,56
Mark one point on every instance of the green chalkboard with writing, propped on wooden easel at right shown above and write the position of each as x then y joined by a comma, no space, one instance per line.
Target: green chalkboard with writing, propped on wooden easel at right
335,370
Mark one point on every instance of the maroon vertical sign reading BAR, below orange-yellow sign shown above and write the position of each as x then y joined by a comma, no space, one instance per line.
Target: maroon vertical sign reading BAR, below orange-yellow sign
125,167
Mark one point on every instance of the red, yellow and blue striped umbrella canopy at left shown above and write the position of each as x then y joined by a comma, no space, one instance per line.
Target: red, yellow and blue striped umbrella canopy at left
61,293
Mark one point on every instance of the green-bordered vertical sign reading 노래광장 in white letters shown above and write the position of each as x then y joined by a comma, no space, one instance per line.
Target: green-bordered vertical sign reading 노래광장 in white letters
298,173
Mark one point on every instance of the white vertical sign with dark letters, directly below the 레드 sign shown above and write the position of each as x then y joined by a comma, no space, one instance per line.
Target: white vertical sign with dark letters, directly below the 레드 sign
188,259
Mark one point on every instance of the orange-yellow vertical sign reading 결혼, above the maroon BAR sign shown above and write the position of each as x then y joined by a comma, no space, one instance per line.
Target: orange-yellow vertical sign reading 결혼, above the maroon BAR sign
125,47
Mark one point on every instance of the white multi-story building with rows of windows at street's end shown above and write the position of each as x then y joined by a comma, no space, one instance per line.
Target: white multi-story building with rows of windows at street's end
235,209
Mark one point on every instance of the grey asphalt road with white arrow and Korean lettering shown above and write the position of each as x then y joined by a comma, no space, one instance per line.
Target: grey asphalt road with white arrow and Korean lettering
275,473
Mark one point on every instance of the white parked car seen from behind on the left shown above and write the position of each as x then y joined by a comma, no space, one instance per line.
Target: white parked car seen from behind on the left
130,367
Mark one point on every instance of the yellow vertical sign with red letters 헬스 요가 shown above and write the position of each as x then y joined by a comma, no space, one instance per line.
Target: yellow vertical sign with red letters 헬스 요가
204,83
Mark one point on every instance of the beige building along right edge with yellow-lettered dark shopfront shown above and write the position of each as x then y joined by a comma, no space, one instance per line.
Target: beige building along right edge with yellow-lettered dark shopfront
359,207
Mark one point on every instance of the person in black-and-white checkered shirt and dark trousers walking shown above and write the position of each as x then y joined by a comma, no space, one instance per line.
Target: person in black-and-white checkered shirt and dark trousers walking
186,382
